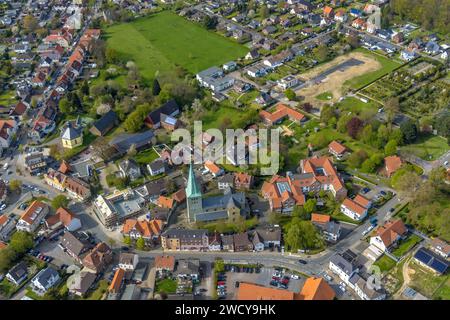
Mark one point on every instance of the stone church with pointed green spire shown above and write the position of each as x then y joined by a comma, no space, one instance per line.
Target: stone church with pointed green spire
228,206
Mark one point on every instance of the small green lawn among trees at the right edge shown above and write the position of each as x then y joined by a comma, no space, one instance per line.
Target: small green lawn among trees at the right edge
427,147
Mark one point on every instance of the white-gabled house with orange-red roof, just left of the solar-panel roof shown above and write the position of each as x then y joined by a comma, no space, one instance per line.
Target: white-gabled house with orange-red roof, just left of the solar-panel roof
389,235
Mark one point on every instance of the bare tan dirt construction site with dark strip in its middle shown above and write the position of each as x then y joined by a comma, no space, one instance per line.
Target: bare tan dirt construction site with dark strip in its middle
331,76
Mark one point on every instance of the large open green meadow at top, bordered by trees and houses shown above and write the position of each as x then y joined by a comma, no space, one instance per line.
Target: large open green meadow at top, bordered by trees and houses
161,41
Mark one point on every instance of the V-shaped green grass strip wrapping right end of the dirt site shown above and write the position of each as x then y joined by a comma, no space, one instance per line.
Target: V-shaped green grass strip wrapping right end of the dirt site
387,66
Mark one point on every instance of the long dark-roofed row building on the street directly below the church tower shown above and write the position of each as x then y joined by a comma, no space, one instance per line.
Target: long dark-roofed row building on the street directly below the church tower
183,239
